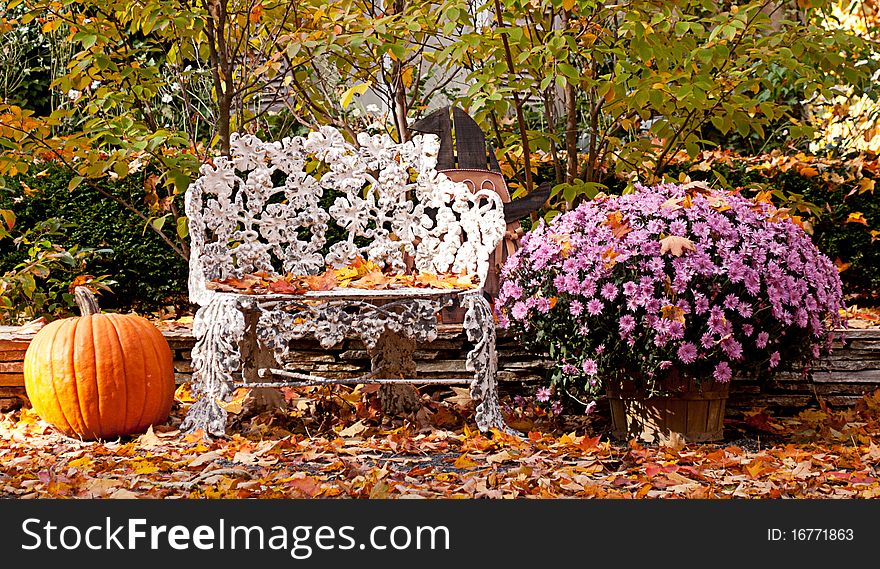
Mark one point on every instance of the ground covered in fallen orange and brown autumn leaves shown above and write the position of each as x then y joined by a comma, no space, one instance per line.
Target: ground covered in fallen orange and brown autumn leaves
337,444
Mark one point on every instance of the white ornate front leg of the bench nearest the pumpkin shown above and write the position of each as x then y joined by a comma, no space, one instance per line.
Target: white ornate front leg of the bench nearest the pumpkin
218,328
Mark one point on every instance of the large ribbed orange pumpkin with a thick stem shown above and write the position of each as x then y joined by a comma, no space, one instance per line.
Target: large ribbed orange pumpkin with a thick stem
99,376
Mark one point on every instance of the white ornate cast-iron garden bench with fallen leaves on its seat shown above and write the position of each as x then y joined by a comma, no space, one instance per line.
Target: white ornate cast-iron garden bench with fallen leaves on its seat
266,208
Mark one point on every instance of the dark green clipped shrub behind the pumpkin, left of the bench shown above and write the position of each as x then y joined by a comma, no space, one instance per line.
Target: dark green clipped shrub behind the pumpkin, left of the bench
147,272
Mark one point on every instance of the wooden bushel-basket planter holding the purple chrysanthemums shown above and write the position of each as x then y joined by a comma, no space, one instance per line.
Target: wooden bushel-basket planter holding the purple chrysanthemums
684,405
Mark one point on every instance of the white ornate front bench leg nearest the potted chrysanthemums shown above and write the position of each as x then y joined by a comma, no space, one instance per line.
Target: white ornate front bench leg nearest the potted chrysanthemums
479,324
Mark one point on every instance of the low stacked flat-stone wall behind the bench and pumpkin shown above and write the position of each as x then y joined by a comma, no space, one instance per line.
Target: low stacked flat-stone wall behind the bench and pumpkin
852,371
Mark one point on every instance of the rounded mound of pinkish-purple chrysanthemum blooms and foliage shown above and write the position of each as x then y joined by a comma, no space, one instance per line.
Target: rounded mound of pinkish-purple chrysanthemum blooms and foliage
709,282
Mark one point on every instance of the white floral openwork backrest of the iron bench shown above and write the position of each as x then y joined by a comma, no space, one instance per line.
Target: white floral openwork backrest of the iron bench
303,203
